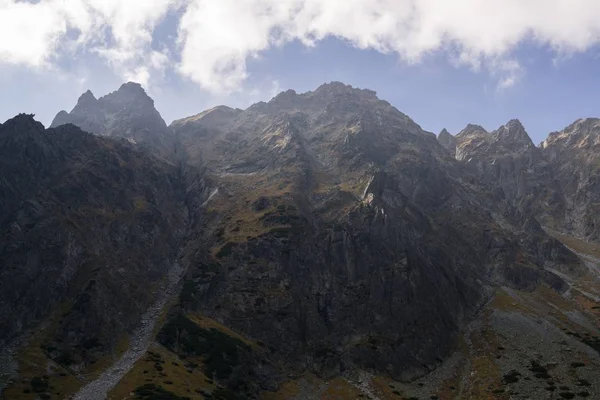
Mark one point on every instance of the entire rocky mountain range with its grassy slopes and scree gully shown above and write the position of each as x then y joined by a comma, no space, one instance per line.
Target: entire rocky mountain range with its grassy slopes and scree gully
319,245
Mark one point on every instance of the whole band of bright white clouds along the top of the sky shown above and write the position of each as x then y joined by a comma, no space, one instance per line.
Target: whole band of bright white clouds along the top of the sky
217,37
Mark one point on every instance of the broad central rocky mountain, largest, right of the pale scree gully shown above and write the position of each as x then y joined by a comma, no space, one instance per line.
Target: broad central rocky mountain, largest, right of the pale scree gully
325,234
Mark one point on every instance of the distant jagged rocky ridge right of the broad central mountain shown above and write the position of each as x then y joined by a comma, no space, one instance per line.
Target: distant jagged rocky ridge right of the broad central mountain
556,182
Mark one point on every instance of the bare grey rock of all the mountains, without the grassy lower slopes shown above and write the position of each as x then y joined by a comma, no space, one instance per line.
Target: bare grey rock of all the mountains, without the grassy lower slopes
327,226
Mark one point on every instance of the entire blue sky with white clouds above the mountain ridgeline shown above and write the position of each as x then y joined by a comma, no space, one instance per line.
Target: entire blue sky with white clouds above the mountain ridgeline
444,63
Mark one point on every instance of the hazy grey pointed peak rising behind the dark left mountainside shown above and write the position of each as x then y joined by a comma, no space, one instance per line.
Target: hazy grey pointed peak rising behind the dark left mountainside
127,113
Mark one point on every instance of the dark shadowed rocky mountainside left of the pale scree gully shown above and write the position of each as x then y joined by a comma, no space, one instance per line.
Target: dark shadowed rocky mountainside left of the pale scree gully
89,225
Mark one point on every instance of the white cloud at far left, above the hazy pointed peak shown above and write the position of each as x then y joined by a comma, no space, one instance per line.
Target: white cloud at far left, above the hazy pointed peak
120,31
